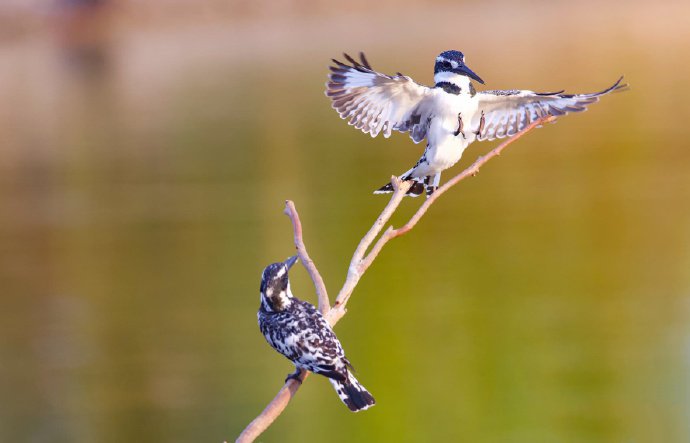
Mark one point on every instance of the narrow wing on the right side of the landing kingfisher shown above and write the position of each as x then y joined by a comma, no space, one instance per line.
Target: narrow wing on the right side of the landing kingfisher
508,112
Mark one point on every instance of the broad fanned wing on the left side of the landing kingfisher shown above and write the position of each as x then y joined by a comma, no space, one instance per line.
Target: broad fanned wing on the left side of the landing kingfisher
375,102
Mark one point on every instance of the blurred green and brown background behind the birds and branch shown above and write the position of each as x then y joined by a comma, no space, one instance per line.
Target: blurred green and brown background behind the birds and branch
146,149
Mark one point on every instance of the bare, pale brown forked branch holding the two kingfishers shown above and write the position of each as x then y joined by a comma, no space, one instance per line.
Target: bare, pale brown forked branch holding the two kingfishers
358,265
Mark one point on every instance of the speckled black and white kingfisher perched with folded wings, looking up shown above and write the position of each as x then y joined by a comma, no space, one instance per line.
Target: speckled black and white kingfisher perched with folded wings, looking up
297,330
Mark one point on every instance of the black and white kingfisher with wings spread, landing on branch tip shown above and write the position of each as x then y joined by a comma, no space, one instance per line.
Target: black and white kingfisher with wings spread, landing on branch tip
450,116
